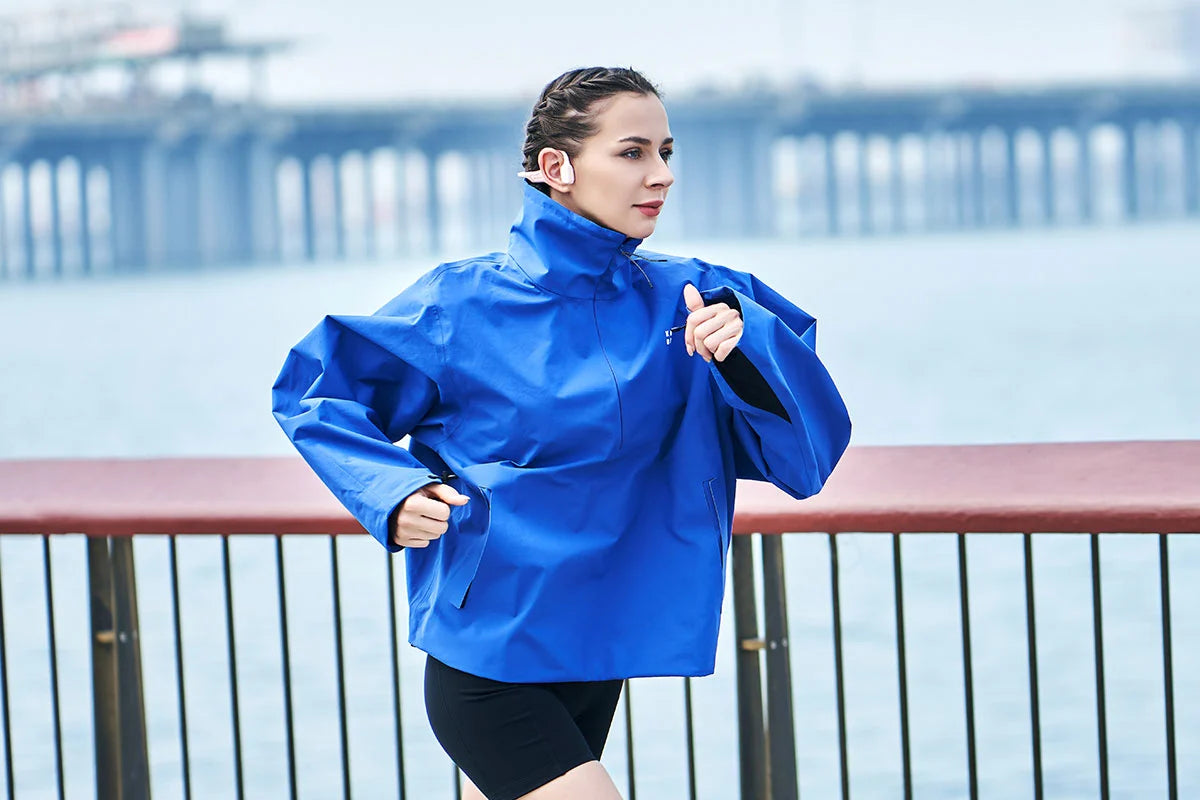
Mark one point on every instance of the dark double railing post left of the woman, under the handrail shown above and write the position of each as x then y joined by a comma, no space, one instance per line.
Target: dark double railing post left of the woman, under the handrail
119,715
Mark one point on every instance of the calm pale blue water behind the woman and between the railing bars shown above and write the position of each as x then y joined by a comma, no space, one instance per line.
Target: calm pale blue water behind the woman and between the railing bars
1040,336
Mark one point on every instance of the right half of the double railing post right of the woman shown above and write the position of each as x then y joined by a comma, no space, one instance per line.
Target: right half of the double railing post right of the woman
781,725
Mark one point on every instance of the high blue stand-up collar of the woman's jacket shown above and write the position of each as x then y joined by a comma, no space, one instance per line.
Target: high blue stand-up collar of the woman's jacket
567,254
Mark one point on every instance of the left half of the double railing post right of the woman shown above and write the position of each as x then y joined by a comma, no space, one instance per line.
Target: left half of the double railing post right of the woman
752,735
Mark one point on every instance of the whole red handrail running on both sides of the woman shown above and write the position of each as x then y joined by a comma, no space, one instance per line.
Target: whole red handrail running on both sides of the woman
1075,488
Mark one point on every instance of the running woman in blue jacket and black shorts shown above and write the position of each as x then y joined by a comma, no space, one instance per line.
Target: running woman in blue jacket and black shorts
567,498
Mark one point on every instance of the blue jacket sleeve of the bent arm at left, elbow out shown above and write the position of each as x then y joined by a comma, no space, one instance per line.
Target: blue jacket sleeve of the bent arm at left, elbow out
351,389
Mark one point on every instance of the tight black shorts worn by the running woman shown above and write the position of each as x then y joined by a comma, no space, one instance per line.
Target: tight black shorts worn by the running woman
513,738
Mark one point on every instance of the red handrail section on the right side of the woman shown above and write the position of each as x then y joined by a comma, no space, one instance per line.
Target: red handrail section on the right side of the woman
1072,488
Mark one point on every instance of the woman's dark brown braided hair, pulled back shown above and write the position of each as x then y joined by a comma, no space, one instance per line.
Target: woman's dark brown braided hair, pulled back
563,118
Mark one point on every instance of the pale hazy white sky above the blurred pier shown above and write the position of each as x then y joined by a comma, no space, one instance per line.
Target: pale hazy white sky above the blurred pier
365,51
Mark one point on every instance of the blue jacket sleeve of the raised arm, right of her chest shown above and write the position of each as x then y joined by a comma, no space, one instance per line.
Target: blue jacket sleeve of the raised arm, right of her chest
790,423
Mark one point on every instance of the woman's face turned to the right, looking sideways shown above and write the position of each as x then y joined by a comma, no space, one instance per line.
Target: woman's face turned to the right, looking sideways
621,173
